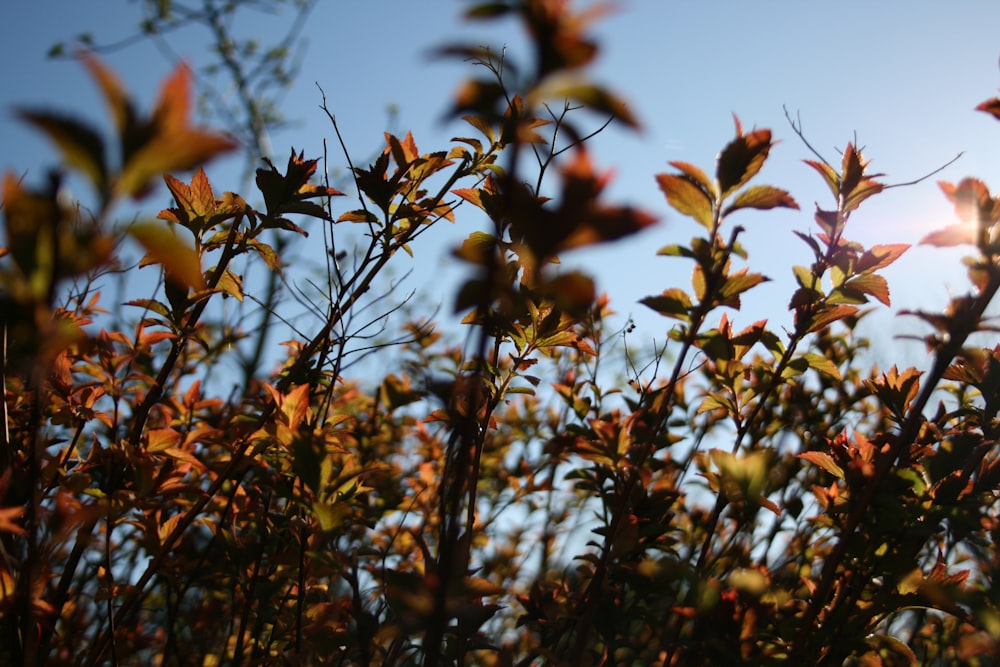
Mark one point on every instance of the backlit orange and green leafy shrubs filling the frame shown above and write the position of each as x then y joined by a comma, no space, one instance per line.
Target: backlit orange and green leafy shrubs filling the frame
755,496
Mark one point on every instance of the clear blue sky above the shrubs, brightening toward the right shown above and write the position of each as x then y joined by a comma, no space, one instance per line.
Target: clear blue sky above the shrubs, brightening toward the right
903,76
